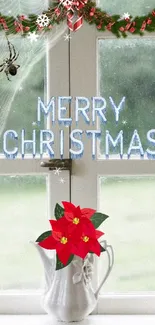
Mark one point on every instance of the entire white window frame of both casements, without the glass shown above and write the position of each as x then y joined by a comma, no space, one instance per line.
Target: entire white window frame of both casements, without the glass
82,77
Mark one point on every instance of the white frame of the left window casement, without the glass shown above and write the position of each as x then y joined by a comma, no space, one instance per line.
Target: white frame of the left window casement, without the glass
57,68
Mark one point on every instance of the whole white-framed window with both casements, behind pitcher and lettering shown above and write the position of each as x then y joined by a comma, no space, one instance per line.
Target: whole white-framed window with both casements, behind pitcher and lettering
94,68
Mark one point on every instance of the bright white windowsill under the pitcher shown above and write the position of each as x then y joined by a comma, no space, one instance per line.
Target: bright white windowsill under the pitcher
91,320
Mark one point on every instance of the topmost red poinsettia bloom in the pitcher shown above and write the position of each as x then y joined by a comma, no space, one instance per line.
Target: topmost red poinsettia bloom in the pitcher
75,214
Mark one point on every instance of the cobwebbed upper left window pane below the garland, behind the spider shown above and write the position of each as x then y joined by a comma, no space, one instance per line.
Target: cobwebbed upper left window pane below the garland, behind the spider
19,97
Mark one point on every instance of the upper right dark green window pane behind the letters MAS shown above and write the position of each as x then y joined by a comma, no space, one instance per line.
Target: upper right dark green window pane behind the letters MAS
126,69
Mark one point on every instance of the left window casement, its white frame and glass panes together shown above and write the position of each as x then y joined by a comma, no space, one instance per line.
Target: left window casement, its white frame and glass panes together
29,192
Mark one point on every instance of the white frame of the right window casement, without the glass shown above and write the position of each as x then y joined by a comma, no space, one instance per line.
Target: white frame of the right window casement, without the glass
85,82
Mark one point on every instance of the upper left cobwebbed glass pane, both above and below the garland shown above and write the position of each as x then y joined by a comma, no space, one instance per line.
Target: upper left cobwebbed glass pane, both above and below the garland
18,107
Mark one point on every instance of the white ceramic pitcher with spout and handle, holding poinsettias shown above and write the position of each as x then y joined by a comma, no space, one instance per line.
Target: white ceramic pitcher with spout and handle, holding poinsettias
68,292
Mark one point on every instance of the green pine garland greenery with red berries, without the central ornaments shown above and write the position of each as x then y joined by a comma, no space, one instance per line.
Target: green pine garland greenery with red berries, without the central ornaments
91,14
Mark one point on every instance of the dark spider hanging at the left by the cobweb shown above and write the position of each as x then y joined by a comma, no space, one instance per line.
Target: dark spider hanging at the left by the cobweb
9,66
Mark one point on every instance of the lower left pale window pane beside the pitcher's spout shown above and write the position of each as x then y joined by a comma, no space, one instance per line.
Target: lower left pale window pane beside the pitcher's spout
23,218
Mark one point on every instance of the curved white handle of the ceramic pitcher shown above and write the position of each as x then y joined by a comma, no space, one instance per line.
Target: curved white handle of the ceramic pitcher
110,254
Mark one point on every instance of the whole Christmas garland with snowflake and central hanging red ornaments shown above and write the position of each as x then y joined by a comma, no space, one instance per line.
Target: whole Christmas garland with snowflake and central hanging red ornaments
75,13
